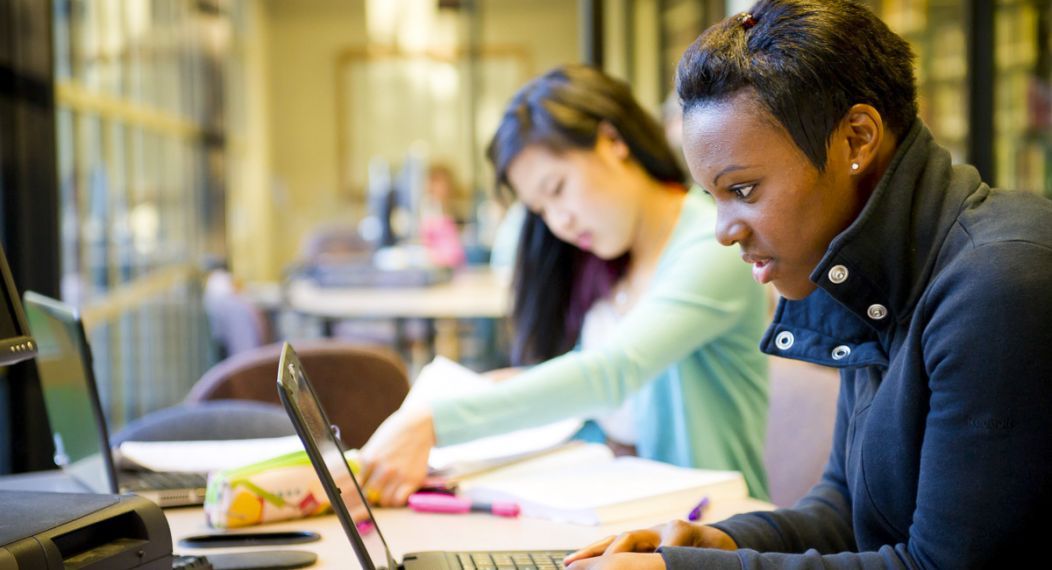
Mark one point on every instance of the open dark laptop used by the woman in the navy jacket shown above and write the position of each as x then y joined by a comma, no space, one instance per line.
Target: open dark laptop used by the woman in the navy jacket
327,456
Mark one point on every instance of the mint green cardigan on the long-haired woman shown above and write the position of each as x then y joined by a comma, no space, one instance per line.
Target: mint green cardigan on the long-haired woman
687,354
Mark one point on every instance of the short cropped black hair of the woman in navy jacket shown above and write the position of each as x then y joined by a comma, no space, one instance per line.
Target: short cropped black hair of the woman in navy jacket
807,62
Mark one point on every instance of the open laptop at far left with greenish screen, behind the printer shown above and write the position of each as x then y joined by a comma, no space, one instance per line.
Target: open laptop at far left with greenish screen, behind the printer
78,426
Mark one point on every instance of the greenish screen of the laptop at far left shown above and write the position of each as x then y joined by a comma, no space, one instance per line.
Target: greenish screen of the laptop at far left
74,414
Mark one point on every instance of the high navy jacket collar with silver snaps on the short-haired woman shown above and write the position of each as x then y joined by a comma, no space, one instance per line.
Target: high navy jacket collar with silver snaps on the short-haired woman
876,271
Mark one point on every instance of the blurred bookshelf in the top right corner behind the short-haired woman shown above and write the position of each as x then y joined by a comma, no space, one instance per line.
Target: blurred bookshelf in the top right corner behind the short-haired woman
939,31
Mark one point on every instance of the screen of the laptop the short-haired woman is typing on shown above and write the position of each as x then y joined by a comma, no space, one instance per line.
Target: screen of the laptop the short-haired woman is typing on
327,455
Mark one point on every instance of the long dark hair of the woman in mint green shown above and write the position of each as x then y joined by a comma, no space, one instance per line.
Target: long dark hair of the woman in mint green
555,282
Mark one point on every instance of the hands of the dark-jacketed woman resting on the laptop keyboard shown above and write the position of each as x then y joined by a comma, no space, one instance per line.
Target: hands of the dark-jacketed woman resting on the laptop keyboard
674,534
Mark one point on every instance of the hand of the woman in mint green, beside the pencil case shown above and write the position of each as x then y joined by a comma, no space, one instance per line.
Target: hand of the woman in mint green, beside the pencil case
395,459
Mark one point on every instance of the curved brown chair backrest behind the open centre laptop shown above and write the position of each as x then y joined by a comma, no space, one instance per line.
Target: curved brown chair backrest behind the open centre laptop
359,386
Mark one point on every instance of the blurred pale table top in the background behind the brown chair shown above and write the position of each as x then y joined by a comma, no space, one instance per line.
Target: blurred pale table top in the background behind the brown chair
471,294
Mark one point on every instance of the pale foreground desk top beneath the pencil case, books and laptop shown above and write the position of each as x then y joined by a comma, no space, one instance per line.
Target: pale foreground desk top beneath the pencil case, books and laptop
408,532
